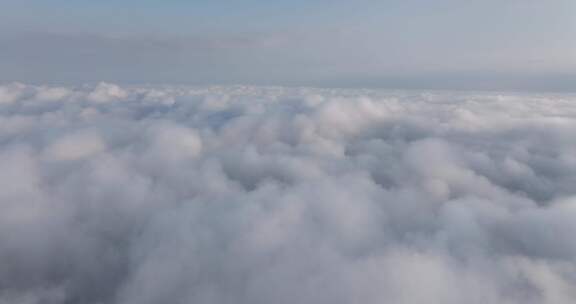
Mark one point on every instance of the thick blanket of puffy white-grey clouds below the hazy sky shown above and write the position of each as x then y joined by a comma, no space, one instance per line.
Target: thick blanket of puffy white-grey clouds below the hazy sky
172,194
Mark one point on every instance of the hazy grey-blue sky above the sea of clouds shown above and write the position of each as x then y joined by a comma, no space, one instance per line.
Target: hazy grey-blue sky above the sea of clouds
446,44
